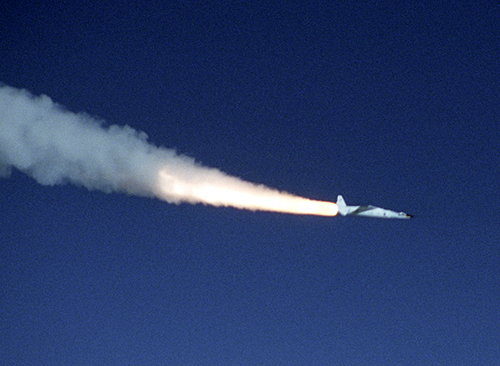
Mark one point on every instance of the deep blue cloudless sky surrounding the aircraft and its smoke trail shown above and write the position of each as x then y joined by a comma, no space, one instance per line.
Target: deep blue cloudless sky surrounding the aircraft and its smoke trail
395,105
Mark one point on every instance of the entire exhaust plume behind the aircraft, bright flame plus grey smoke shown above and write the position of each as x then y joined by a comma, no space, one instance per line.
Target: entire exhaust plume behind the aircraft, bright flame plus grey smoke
56,146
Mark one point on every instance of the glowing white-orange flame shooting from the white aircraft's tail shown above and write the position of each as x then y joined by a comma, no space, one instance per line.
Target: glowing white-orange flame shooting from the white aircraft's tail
218,189
